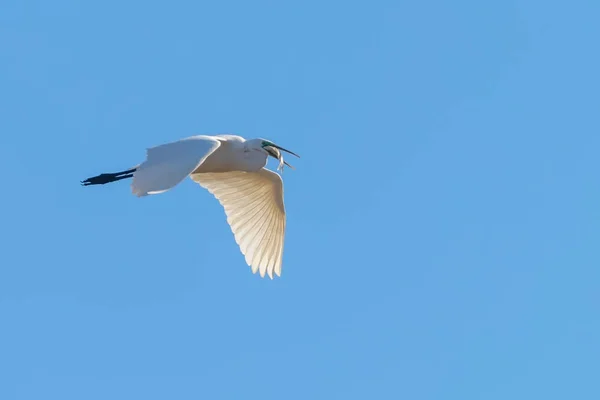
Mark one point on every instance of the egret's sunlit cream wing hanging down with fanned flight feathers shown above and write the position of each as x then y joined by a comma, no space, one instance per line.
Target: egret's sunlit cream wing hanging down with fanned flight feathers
253,203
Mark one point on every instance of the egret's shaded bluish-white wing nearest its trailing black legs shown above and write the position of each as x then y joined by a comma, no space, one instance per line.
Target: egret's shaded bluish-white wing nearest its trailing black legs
168,164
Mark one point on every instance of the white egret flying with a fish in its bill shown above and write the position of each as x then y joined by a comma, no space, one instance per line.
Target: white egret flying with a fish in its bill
233,170
